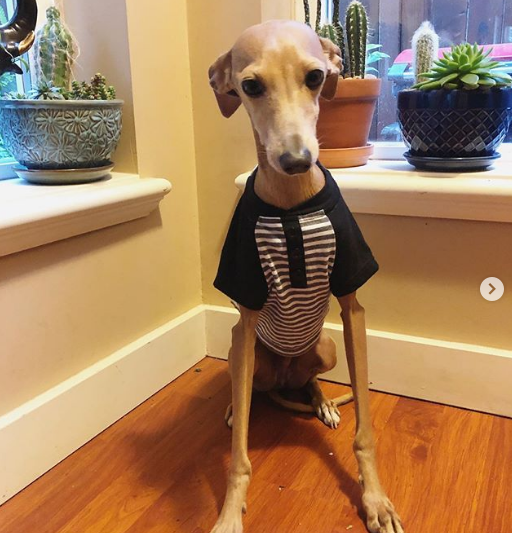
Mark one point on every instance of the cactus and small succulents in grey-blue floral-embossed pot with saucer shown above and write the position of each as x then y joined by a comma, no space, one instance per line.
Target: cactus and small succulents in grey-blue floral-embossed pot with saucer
60,132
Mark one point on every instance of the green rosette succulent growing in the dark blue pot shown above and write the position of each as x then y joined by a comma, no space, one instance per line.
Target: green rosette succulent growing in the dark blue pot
464,67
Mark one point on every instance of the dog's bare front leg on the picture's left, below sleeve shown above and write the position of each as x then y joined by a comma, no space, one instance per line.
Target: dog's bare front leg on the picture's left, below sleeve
241,363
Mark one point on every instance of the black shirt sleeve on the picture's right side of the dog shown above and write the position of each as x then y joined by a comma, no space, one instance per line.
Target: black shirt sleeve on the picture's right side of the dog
354,264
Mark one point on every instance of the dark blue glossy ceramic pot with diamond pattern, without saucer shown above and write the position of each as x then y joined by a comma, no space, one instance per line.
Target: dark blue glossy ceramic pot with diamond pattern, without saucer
454,123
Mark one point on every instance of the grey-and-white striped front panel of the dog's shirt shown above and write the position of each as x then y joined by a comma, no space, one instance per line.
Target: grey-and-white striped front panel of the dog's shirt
292,318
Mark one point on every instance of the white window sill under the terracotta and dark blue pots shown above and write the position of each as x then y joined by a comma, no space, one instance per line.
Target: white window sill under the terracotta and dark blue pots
396,188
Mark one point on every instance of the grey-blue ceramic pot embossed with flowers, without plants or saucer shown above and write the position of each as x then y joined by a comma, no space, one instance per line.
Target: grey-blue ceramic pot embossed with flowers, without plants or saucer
60,134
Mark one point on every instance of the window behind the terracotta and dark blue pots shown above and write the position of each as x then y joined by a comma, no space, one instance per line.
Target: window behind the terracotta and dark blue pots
392,24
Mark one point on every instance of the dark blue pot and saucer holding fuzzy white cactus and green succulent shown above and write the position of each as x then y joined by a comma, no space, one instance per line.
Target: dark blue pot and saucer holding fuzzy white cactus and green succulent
460,109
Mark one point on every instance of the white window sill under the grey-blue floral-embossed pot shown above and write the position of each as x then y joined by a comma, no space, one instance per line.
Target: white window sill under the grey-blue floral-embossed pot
33,215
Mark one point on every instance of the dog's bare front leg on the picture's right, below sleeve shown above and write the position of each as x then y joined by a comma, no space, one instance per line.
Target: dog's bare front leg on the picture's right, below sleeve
381,515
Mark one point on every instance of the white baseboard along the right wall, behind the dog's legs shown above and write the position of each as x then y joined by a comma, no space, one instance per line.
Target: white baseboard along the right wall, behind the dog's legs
462,375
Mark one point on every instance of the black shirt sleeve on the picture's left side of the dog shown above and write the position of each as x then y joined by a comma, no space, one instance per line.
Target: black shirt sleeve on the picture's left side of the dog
240,275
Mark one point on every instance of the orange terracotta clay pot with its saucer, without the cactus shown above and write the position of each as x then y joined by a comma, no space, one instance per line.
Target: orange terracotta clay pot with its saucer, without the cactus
344,123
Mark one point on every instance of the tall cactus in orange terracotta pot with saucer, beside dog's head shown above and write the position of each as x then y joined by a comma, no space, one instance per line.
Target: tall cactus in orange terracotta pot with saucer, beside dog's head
344,122
